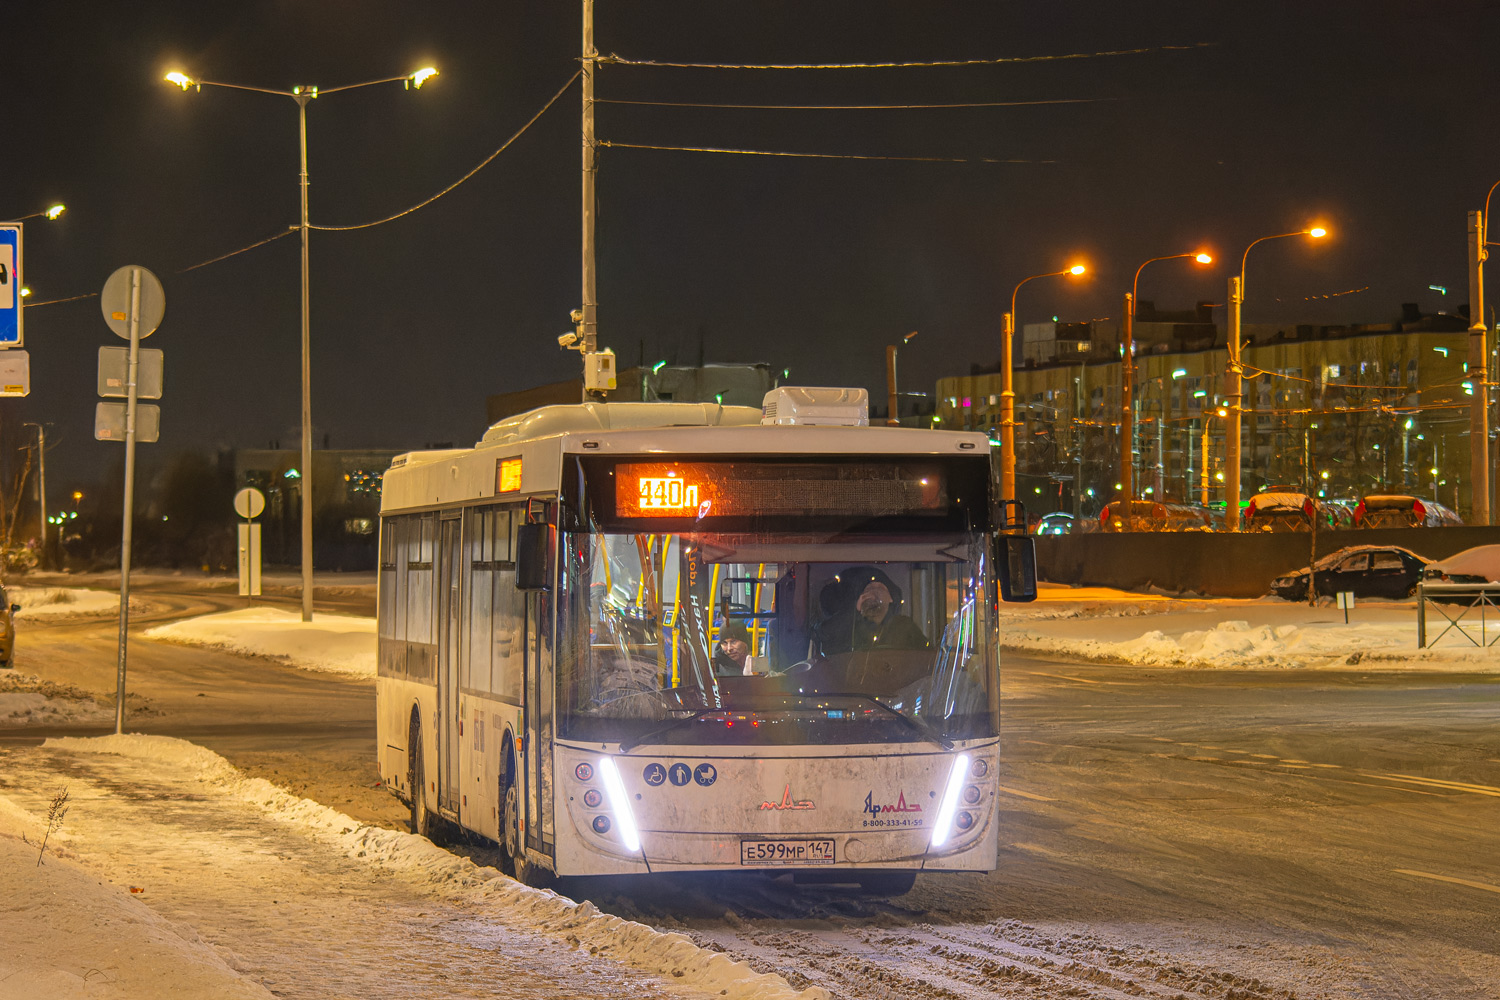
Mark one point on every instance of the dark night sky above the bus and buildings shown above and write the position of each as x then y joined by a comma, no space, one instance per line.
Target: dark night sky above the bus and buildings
1373,119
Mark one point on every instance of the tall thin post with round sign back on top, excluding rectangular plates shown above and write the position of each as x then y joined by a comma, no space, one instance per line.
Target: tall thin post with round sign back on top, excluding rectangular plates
133,307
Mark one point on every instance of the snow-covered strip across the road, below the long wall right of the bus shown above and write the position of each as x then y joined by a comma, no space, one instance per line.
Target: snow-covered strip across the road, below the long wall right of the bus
1267,633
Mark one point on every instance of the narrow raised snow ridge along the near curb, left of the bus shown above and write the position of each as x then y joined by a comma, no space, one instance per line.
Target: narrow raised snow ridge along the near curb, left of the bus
580,924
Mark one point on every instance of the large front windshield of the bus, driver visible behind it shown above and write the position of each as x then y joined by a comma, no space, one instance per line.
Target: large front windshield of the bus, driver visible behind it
764,639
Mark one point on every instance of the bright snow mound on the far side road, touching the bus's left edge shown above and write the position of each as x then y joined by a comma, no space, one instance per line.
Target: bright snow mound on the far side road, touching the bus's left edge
332,644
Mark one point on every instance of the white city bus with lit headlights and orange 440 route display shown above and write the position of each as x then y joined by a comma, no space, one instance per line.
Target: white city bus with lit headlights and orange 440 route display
553,612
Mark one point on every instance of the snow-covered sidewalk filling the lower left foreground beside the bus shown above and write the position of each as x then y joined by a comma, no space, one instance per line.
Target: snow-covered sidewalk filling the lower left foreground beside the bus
182,878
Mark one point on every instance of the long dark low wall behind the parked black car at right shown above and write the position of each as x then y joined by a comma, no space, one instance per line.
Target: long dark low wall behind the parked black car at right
1223,564
